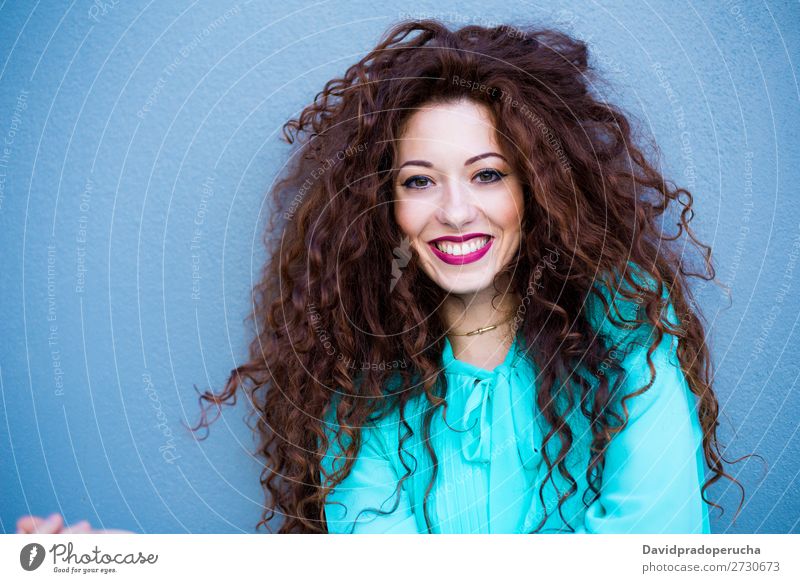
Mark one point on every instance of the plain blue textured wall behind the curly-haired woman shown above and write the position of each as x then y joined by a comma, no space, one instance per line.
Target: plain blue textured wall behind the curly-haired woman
140,138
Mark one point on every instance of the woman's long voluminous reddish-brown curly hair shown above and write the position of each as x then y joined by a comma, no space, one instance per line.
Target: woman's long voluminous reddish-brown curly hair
335,292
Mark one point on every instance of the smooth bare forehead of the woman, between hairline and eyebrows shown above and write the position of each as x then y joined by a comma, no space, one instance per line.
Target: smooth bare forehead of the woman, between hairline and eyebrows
453,127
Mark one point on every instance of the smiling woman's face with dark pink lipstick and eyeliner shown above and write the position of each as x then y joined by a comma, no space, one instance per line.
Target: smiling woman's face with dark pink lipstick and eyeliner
456,197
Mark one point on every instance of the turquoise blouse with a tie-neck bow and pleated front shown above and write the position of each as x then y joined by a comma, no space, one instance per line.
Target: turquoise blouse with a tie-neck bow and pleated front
489,441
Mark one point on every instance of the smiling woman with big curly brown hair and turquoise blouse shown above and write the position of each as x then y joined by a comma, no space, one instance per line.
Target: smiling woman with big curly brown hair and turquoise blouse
471,320
